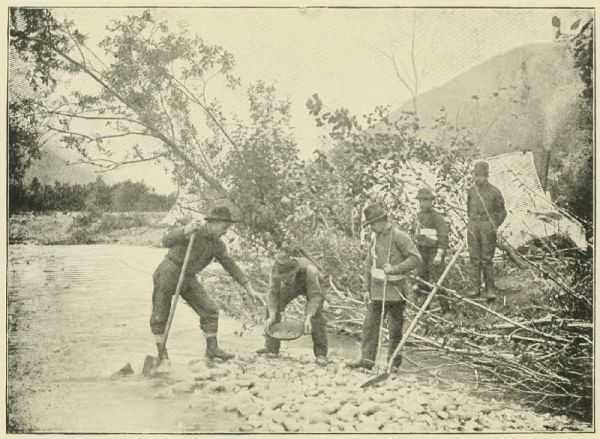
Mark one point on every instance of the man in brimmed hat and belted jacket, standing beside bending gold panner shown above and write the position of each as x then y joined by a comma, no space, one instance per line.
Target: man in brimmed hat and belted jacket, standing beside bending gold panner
390,257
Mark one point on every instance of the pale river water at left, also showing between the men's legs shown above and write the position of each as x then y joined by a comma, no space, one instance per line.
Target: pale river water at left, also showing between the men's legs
77,314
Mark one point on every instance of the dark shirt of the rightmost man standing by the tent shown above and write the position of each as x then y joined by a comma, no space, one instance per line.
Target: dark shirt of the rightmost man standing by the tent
494,204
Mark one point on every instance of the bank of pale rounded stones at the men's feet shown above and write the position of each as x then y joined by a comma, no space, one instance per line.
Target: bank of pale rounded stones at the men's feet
286,394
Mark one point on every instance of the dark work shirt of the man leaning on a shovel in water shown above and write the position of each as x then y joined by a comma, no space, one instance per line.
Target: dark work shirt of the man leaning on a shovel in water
205,249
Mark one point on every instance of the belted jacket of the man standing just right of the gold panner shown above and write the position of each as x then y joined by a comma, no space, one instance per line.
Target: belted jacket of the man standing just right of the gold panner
403,256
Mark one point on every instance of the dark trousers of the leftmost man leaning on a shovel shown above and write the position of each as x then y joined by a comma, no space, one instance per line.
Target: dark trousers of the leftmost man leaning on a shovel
165,280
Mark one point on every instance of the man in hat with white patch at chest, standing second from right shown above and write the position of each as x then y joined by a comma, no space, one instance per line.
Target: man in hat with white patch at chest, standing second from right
429,231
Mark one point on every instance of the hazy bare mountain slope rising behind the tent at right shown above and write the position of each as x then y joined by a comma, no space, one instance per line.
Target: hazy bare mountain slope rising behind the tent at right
524,99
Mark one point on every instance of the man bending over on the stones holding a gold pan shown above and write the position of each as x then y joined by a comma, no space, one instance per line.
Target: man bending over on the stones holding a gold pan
292,277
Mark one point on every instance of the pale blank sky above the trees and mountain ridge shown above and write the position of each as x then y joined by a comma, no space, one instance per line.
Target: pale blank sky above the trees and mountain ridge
337,53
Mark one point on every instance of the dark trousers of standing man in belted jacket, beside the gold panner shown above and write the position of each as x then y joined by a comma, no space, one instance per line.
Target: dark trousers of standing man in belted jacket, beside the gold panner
395,313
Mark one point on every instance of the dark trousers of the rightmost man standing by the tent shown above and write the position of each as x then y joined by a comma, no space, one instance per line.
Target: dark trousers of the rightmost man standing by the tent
481,239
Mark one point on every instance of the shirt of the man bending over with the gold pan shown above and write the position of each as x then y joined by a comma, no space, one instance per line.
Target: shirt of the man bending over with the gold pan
305,282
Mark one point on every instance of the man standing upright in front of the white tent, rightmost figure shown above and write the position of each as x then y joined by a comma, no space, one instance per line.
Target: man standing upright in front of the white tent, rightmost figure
486,212
